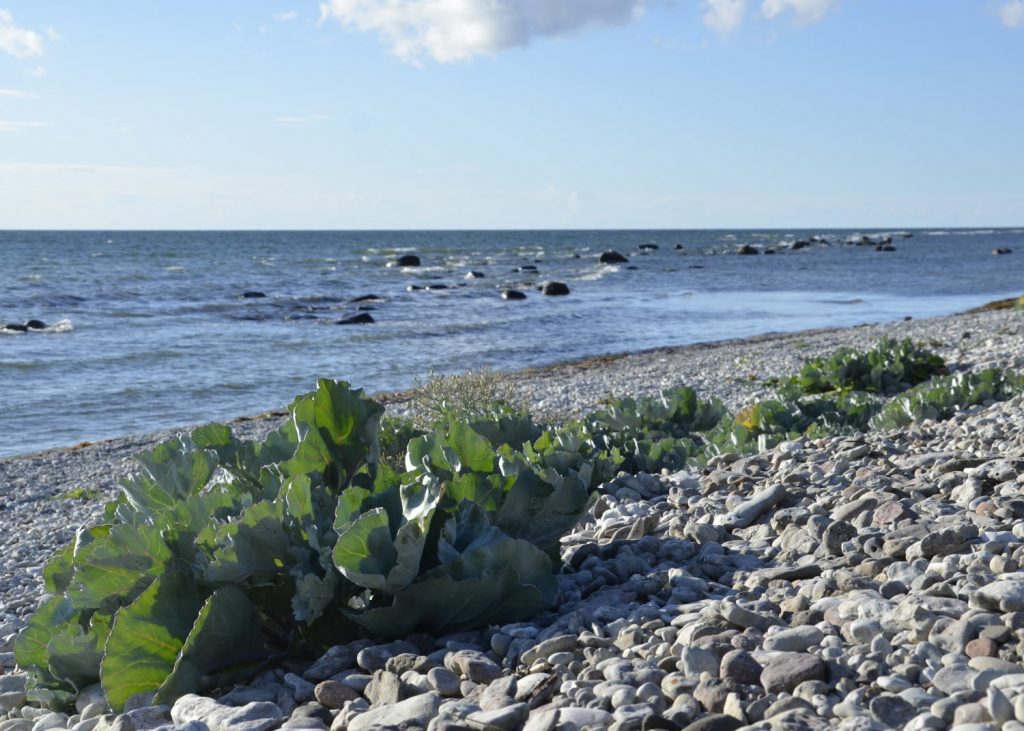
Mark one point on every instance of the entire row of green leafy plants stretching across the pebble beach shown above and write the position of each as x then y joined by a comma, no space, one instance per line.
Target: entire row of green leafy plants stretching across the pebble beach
223,556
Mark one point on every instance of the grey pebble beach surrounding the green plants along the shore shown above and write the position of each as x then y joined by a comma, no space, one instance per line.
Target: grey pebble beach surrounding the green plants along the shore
868,582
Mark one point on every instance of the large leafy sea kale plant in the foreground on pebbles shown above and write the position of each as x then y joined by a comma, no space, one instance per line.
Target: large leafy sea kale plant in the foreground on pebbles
222,556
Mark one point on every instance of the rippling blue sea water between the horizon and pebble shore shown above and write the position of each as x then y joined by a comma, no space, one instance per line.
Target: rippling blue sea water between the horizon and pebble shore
151,330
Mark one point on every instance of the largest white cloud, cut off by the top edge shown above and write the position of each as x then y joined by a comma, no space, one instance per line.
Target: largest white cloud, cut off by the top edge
457,30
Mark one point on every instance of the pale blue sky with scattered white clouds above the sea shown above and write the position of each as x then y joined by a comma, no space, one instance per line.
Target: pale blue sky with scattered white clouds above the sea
511,114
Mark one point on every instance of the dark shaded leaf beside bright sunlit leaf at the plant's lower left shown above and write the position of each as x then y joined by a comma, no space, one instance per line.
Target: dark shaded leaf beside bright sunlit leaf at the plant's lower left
225,646
